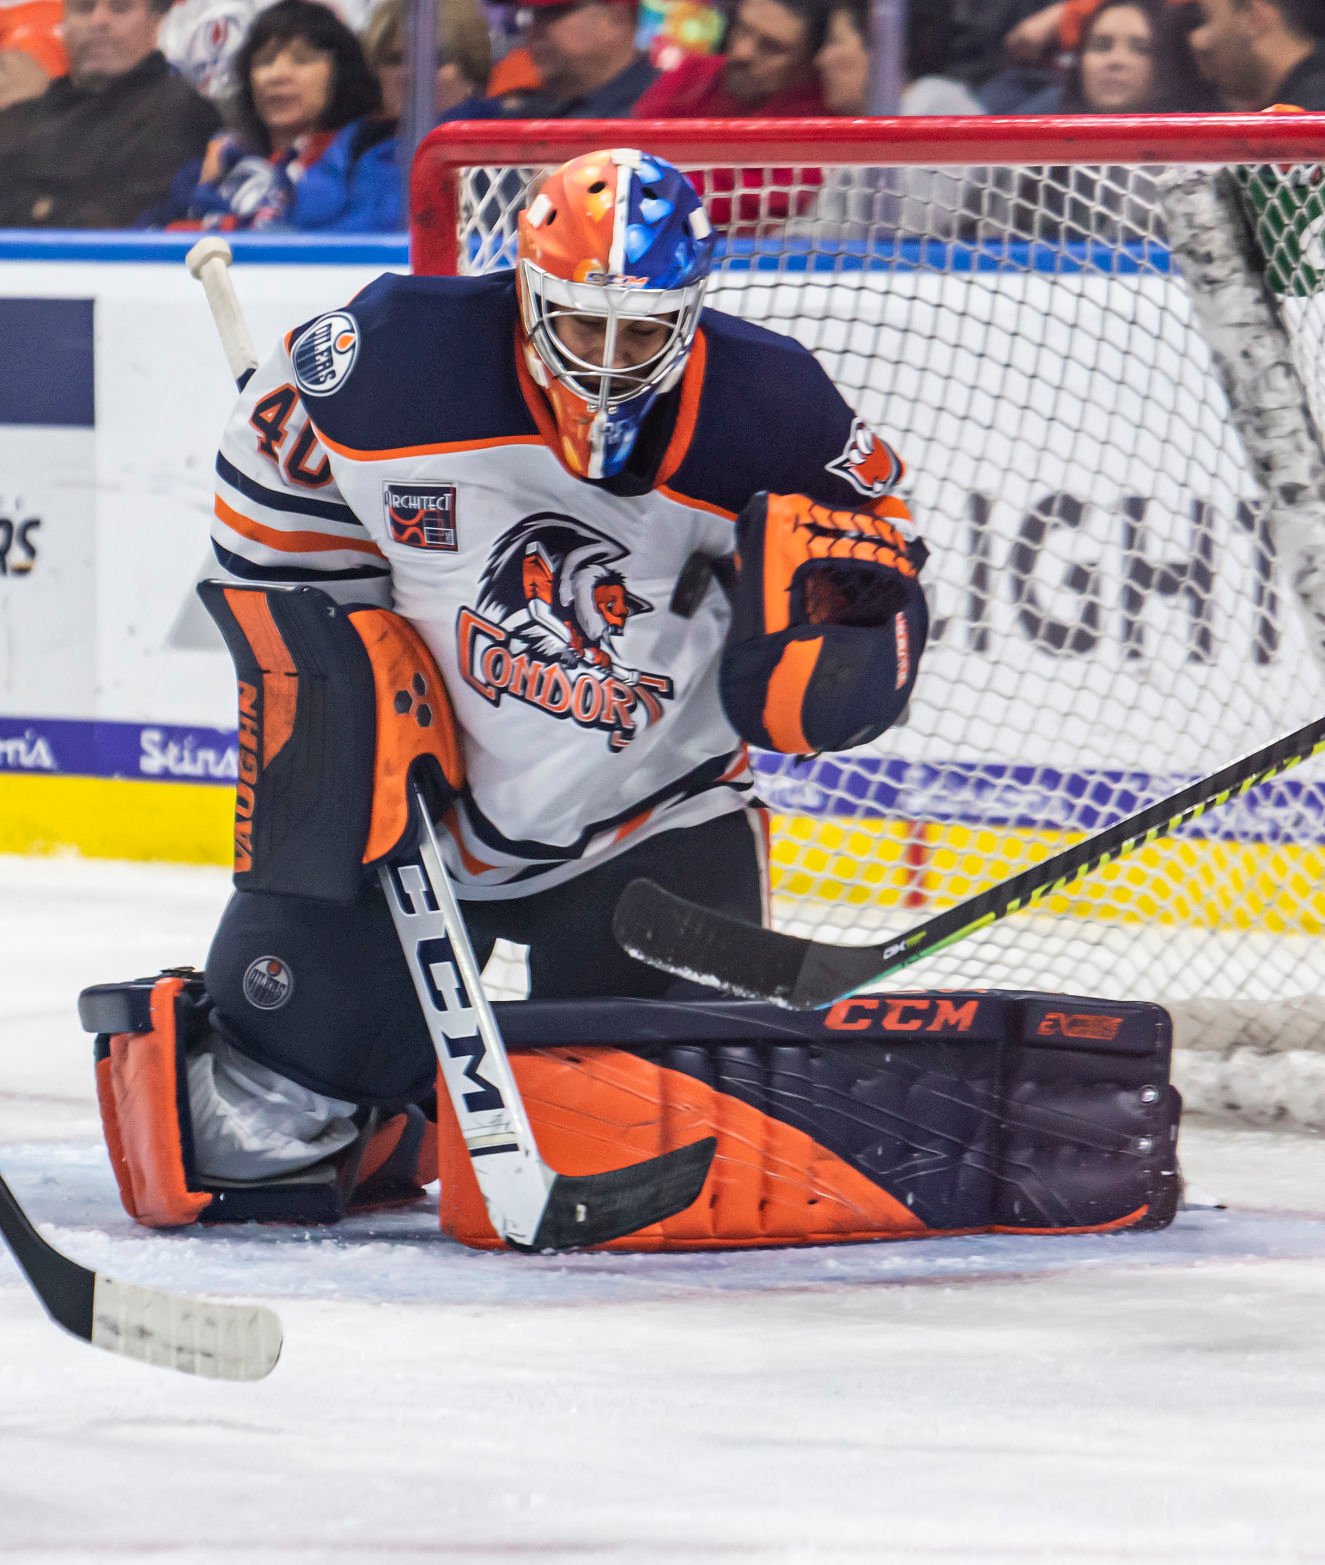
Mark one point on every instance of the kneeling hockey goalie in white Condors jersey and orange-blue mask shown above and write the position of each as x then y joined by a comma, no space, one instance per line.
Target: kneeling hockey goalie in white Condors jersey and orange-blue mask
559,544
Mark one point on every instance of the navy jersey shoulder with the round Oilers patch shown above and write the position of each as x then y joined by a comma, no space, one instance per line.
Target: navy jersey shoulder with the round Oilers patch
415,362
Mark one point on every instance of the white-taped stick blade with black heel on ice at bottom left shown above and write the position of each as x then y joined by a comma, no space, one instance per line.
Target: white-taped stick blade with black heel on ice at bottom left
223,1342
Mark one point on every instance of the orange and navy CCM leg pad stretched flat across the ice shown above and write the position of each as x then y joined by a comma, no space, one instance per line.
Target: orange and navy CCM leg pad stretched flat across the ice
889,1117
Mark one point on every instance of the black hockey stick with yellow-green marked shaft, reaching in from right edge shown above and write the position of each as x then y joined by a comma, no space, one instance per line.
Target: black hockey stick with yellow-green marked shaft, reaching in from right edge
802,976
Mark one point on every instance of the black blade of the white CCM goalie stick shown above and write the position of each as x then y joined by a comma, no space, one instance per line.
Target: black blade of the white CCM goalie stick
592,1209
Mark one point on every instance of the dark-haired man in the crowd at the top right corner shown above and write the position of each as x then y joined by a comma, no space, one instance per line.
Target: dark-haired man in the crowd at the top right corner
1263,52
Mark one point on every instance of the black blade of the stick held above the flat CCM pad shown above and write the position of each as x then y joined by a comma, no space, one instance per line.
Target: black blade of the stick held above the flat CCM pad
742,959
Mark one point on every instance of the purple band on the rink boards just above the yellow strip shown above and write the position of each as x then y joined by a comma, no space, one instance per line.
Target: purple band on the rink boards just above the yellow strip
1010,797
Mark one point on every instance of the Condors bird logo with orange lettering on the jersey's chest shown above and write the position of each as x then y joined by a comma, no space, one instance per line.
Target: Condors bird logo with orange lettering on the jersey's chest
551,608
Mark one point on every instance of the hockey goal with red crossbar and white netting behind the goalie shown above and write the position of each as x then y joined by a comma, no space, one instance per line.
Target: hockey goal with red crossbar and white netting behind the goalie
1118,605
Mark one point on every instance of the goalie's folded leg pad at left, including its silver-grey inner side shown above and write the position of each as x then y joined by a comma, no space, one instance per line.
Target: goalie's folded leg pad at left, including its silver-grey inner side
159,1071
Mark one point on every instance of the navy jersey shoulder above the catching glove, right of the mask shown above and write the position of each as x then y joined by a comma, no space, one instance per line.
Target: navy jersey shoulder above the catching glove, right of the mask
770,419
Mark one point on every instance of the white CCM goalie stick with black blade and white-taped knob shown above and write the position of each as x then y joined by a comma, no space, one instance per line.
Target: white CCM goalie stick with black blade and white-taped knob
530,1204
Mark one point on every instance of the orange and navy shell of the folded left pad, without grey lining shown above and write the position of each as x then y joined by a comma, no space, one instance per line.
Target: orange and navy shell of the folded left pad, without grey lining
143,1034
